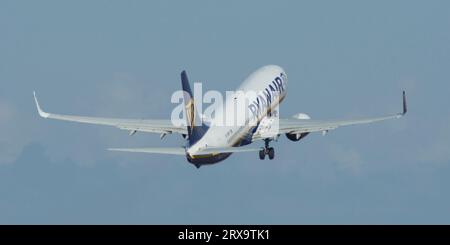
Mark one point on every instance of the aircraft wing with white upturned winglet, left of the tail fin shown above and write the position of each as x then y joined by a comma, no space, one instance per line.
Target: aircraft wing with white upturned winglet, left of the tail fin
133,125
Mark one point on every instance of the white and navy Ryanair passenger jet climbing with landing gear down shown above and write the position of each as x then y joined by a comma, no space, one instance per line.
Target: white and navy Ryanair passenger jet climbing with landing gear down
210,144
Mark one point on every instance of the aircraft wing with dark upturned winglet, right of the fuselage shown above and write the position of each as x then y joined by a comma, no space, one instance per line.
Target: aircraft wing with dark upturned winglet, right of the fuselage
298,126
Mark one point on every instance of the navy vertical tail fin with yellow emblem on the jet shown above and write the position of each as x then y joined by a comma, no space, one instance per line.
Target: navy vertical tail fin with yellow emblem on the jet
194,125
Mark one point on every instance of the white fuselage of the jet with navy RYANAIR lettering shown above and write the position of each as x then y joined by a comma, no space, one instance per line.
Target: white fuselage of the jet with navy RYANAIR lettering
264,89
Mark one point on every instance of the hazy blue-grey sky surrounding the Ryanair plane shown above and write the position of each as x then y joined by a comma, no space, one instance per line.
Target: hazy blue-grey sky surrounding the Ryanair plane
344,59
